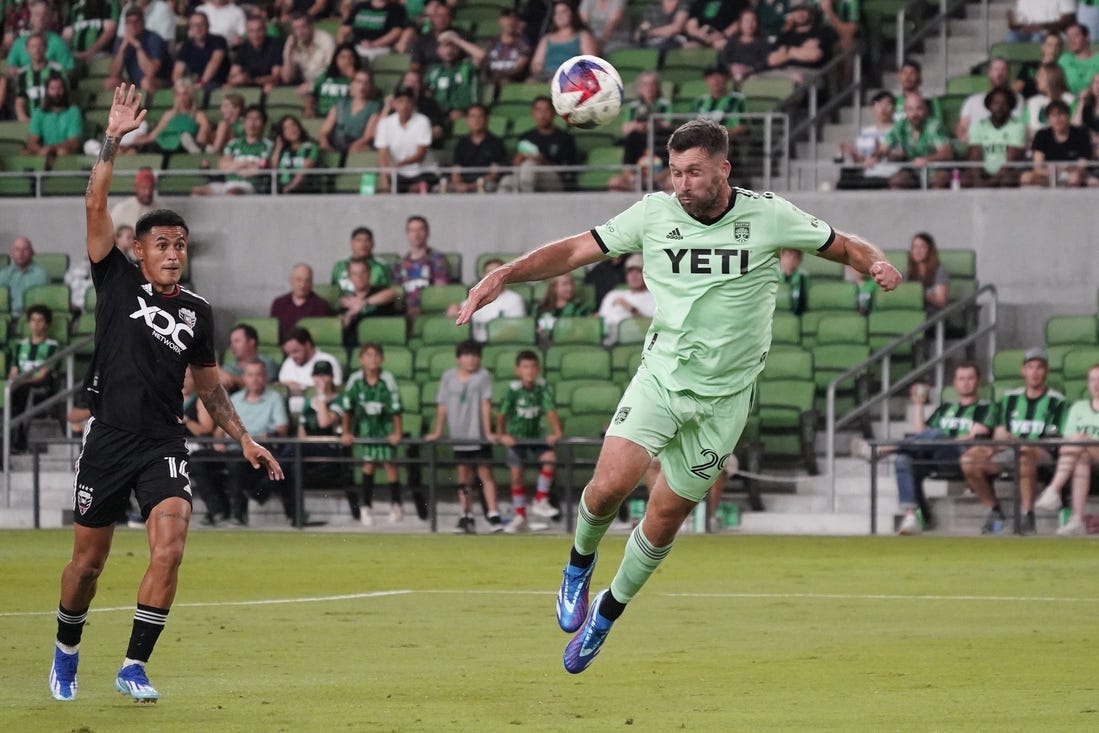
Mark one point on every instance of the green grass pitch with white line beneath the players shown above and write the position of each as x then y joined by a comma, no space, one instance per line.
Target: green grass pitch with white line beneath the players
367,632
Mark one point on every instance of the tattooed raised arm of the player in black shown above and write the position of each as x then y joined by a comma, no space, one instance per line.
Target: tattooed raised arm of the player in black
125,116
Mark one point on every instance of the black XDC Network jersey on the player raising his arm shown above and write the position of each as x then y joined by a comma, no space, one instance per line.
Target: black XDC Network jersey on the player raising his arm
145,342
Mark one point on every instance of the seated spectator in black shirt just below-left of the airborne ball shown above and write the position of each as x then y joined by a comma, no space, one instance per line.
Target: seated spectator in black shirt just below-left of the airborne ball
545,146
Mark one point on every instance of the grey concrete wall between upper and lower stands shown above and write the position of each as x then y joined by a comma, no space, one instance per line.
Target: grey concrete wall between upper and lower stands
1039,248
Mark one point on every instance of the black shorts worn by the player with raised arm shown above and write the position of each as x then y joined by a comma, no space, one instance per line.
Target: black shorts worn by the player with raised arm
115,463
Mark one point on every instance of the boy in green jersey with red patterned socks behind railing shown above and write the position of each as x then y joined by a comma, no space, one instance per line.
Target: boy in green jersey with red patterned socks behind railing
528,402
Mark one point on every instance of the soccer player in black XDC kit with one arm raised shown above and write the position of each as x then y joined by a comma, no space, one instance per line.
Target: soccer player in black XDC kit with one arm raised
149,331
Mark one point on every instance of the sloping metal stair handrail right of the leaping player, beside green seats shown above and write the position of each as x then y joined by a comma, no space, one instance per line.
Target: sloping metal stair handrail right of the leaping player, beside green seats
883,359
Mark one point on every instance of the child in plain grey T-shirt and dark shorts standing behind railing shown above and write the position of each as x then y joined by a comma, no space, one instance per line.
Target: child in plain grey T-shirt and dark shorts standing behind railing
464,402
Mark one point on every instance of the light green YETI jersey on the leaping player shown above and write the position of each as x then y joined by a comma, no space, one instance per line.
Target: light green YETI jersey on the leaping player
714,284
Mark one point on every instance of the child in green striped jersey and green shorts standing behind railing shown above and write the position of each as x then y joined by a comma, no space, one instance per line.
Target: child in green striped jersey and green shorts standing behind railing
372,405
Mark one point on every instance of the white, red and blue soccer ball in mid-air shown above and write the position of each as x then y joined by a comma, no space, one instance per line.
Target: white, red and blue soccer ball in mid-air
586,92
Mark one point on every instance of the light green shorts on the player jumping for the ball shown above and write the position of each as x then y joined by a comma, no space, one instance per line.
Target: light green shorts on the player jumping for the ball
693,436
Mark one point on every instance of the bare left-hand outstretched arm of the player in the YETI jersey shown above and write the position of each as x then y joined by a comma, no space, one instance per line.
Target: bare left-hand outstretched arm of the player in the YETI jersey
548,261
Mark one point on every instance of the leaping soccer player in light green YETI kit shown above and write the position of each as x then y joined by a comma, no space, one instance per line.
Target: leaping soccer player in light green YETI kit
712,262
